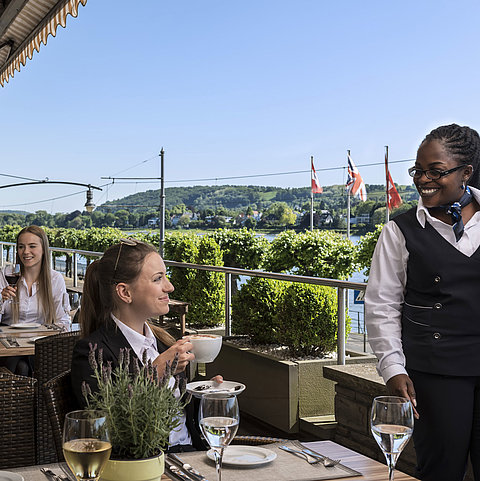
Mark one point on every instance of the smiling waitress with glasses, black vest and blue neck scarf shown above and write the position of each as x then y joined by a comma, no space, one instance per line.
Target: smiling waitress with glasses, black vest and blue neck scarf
422,308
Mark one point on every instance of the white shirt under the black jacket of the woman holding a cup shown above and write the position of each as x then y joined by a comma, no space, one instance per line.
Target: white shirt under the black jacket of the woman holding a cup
148,342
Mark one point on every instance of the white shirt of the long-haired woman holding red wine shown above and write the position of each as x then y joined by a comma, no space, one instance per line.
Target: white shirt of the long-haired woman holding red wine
29,309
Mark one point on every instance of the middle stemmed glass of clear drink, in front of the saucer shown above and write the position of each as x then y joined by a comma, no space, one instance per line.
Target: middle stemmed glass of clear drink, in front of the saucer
219,418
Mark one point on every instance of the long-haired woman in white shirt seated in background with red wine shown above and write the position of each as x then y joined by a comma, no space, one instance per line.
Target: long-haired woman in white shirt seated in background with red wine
40,291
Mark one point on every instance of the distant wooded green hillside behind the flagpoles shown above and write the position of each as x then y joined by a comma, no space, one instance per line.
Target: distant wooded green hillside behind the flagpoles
238,197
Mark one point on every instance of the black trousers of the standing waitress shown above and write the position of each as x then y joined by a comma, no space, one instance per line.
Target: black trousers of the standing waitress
449,426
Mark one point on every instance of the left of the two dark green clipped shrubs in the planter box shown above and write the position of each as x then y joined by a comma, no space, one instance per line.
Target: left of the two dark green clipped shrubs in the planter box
254,308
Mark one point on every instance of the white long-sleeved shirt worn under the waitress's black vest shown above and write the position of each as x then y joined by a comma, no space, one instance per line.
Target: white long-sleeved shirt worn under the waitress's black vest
387,280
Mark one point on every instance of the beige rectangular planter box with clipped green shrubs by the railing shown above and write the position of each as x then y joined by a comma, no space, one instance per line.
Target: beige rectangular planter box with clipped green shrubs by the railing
297,321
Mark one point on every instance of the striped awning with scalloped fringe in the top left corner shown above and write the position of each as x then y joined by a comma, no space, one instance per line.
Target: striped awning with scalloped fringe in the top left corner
47,26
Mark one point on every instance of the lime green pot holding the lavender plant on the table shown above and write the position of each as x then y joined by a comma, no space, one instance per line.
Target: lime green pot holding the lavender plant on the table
150,469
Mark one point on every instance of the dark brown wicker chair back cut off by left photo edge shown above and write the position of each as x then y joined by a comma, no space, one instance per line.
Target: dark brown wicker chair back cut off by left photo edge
17,420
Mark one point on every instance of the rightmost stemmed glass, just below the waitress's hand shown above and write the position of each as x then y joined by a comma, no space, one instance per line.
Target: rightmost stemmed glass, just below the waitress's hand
392,426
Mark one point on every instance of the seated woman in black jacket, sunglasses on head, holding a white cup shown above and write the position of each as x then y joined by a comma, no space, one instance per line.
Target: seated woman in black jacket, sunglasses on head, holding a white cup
122,290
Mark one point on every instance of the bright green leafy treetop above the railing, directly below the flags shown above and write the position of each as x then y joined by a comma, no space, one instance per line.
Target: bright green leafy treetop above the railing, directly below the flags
318,253
